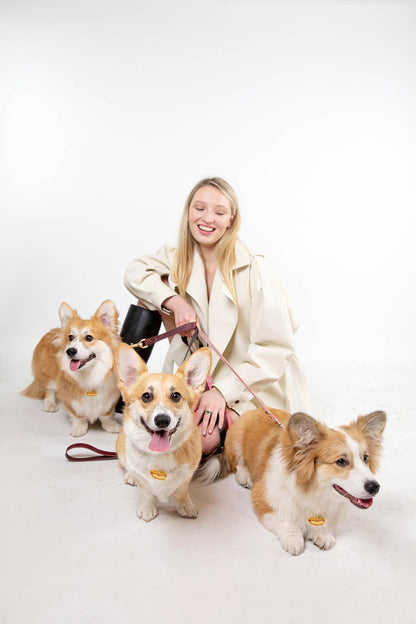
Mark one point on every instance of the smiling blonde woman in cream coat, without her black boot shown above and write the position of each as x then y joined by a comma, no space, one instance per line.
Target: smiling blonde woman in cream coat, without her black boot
233,295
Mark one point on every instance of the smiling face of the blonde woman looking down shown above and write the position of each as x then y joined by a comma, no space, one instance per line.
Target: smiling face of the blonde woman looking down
210,215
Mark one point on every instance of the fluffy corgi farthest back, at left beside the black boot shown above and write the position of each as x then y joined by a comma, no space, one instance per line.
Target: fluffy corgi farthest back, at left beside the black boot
75,364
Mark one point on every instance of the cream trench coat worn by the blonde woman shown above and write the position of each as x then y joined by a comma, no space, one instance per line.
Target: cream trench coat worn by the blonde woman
256,338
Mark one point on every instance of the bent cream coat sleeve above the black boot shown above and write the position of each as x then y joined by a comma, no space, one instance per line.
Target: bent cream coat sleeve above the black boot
143,278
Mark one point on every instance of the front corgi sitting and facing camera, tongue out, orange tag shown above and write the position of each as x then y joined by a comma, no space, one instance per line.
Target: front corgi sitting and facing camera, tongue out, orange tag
159,447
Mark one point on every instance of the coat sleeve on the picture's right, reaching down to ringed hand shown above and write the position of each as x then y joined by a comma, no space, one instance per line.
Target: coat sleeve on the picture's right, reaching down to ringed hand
269,339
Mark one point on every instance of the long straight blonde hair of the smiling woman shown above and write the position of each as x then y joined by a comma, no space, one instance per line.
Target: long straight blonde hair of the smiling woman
225,249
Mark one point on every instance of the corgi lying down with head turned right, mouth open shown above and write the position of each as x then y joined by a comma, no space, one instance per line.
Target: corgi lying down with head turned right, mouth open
303,474
